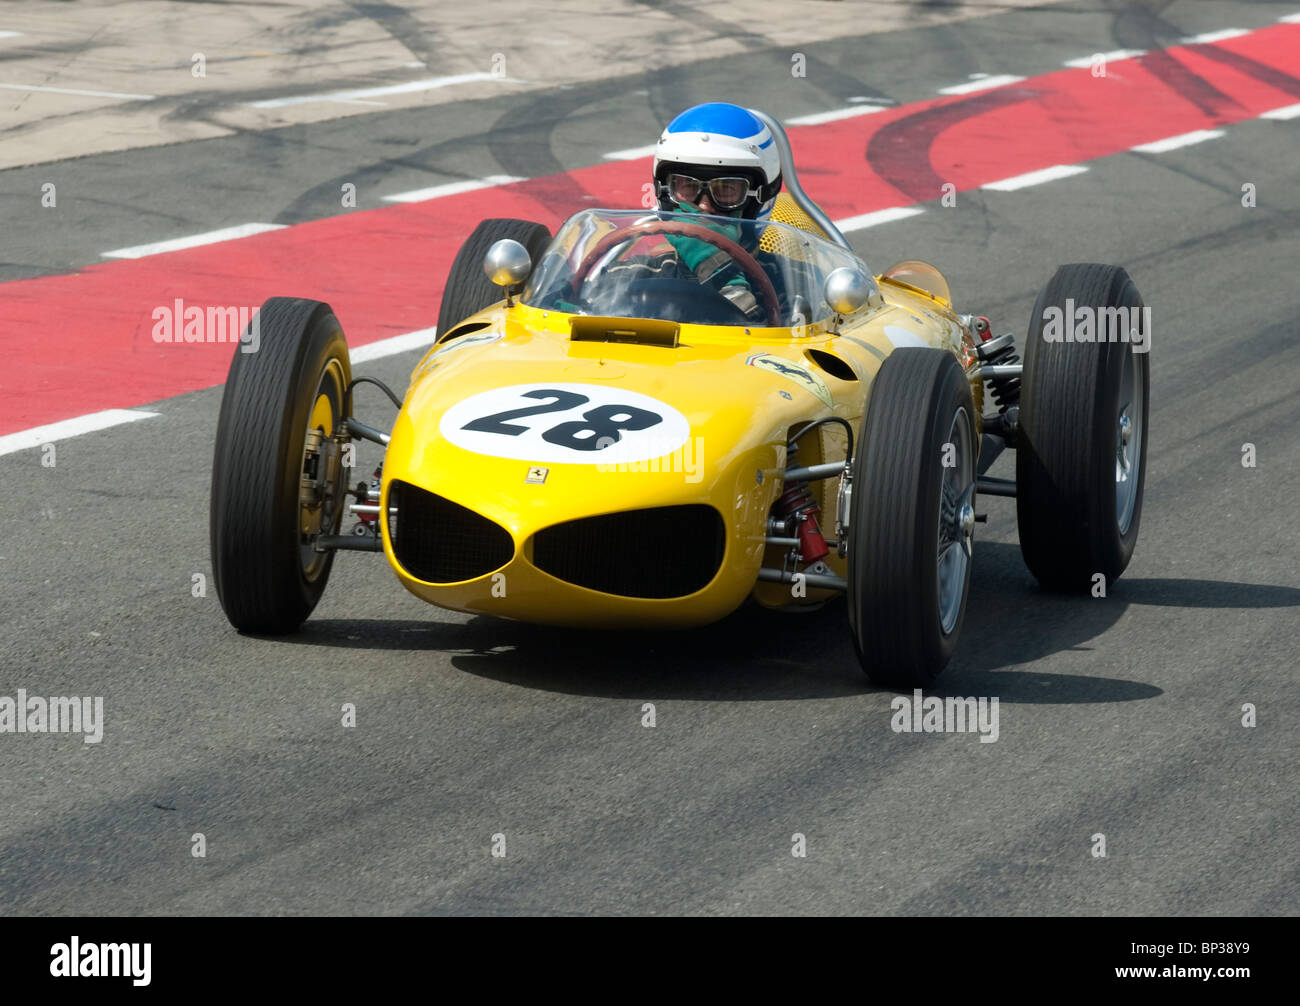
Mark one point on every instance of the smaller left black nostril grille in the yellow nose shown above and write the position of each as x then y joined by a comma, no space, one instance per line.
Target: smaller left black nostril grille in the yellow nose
443,543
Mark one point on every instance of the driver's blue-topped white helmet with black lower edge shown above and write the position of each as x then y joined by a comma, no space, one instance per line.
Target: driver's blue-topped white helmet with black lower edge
714,141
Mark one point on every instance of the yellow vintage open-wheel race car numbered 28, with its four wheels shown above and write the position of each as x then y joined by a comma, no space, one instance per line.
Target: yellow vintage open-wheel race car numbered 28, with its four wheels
593,443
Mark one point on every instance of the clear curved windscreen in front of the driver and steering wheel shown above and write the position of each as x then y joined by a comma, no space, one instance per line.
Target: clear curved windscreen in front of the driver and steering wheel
690,268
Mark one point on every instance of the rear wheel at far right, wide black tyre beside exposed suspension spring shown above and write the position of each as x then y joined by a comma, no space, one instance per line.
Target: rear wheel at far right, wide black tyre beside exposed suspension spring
1078,480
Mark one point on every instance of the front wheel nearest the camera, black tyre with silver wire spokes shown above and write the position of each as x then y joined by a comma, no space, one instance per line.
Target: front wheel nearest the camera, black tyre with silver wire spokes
905,501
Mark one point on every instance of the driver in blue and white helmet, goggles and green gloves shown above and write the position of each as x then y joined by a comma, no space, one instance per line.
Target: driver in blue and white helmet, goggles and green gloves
721,161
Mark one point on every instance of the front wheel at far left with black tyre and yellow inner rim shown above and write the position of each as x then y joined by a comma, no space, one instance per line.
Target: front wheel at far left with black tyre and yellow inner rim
266,573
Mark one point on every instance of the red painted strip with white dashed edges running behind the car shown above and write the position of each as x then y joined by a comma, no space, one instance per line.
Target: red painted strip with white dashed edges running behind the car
382,270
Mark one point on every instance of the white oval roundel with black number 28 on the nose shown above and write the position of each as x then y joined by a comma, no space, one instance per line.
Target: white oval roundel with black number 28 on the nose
566,424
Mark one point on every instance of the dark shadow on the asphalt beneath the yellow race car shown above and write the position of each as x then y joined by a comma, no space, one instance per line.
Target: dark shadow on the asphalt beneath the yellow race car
762,656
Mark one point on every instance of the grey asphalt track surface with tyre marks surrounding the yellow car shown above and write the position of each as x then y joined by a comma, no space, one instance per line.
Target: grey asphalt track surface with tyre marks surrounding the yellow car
1120,716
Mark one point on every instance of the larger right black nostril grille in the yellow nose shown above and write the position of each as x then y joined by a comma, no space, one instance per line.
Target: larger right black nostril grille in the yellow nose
660,553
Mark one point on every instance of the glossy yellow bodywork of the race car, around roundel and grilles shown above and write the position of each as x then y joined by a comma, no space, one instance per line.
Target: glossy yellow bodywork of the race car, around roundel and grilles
739,415
